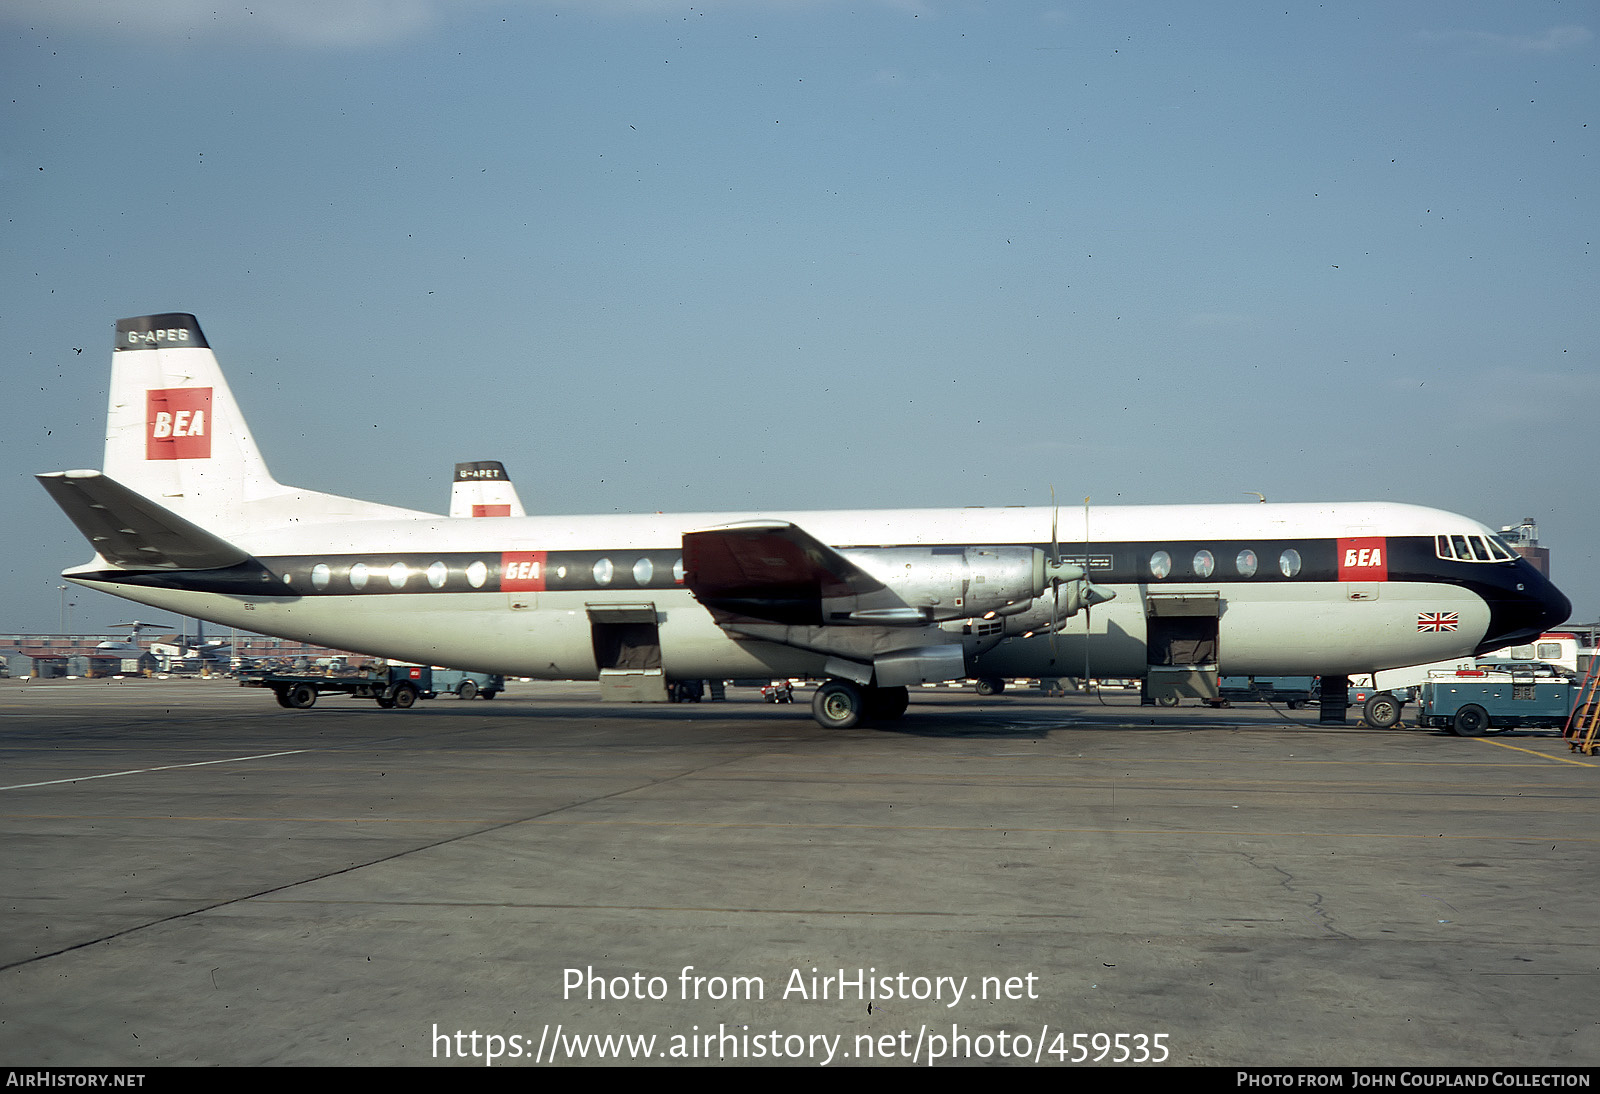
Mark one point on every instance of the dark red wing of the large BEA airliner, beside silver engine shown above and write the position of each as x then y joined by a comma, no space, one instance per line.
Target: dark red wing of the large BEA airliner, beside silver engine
769,570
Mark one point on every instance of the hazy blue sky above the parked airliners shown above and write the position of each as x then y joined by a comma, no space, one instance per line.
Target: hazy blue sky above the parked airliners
818,254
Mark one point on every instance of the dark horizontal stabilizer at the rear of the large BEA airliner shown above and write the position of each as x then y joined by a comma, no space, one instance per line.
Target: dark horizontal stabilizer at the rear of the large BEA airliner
134,532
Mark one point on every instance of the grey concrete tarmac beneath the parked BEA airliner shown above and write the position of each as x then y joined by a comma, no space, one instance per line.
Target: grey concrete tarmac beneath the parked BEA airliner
191,874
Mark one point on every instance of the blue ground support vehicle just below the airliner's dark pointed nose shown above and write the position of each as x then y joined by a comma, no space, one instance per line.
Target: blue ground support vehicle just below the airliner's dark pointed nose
1478,701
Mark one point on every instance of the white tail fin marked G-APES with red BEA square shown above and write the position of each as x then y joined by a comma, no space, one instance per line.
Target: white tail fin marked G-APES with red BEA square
177,436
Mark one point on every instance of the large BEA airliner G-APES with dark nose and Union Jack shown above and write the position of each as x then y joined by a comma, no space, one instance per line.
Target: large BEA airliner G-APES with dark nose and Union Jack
186,517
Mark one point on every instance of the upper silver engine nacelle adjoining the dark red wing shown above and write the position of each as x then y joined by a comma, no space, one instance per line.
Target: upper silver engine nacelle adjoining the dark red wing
948,583
